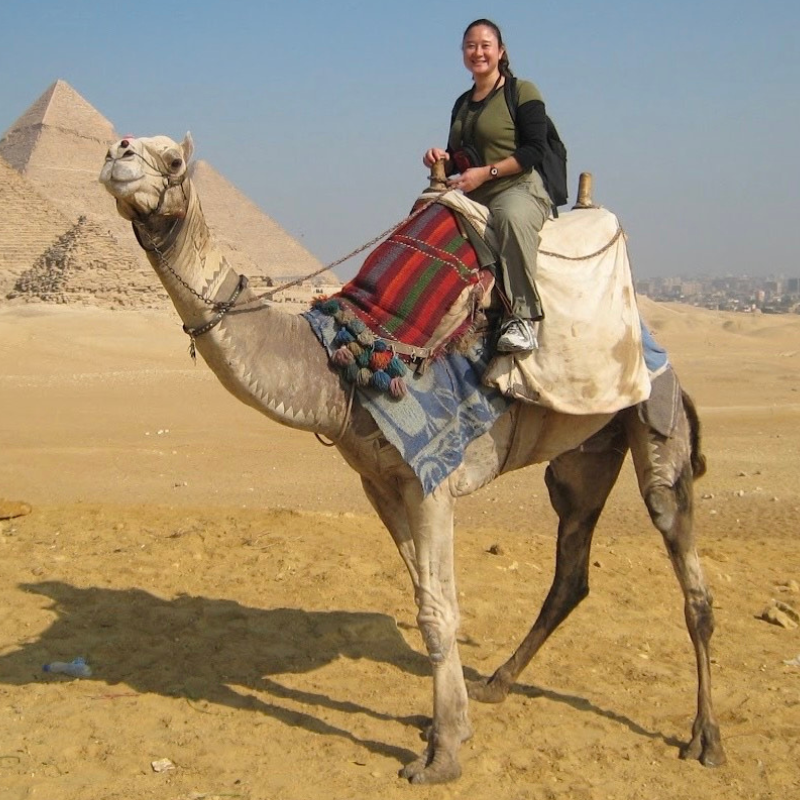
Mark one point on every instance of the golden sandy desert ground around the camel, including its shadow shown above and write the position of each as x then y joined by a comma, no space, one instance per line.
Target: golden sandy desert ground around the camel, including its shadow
247,618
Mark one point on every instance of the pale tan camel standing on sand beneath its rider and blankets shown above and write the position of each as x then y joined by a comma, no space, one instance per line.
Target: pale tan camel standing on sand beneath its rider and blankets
272,361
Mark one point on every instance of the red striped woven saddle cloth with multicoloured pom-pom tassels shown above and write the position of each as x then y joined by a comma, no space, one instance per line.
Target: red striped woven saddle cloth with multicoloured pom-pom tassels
415,294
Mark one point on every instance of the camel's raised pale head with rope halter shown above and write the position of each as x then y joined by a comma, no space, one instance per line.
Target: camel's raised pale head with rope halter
145,176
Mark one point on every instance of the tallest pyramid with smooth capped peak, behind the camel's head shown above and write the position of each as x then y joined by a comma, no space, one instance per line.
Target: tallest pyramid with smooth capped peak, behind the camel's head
58,146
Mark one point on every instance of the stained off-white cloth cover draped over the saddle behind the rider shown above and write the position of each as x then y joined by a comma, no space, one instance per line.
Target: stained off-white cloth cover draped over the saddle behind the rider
589,359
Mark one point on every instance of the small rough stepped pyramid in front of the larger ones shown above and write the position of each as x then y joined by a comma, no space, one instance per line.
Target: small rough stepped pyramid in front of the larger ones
85,265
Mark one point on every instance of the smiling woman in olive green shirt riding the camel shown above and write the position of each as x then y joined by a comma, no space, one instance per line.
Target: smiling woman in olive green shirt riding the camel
494,162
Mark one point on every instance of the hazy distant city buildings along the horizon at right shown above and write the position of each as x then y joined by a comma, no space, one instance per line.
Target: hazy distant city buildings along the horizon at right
771,295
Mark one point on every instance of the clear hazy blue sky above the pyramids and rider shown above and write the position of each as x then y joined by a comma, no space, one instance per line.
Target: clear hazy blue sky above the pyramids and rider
687,113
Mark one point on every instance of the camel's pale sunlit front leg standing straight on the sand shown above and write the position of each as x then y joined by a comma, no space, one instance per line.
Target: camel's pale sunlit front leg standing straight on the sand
431,523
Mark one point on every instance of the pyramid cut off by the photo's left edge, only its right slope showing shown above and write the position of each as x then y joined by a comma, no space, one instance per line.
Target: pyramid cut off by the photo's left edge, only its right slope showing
30,223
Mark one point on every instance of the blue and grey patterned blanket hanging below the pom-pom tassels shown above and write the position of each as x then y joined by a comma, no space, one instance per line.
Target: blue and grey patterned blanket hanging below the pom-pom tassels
445,409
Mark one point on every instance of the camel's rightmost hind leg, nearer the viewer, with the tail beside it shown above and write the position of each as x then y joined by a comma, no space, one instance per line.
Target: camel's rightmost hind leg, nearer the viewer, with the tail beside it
666,468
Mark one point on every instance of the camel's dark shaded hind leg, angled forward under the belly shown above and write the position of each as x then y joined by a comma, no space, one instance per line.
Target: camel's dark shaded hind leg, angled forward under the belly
579,483
